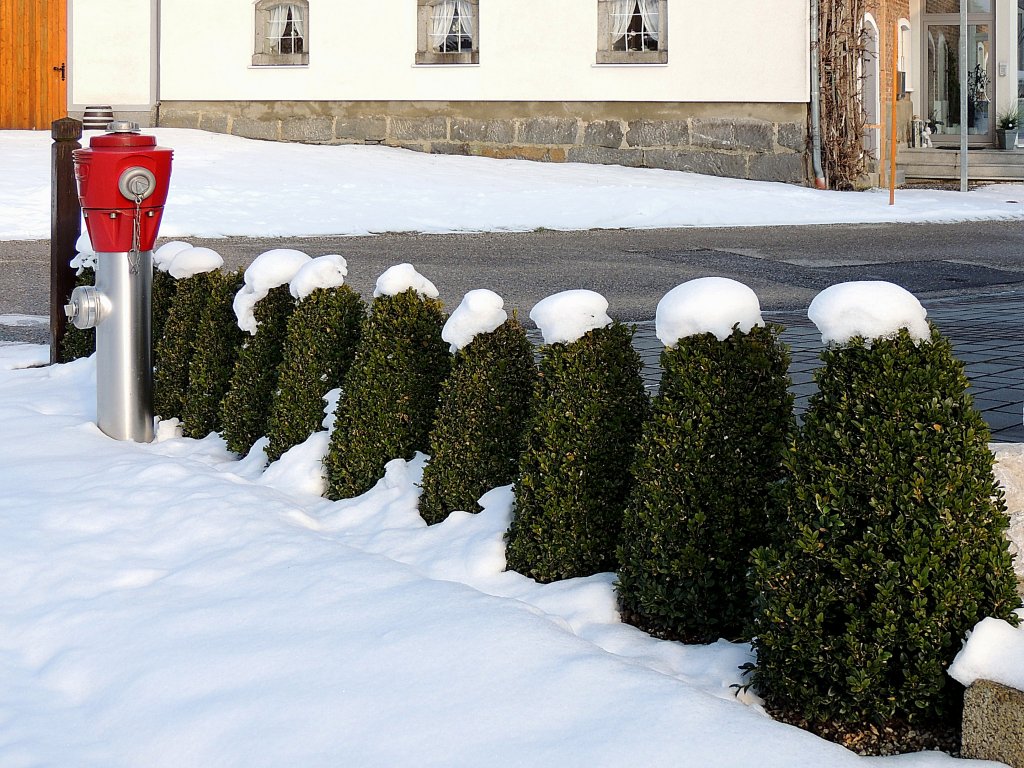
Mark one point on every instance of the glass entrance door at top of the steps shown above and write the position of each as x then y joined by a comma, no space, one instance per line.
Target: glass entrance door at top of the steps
944,79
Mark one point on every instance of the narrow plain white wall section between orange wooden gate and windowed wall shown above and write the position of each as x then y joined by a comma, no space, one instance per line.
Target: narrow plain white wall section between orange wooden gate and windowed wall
113,54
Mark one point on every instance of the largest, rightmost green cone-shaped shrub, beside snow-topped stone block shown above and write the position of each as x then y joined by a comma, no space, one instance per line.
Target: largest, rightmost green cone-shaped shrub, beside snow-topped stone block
893,546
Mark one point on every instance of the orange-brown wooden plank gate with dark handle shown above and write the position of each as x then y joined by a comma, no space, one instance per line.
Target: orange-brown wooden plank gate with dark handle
33,63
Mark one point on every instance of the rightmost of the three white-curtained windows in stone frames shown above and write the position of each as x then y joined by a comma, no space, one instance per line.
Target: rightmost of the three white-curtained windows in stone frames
632,32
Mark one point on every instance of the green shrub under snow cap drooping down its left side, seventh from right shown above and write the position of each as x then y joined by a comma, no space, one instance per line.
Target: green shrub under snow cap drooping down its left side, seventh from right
246,408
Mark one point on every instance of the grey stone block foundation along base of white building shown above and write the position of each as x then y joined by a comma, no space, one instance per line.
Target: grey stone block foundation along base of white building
766,143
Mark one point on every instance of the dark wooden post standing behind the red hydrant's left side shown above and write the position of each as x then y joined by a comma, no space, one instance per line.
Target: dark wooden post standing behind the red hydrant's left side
66,226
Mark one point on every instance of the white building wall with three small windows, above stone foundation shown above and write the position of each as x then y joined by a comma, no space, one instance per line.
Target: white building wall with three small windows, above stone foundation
531,51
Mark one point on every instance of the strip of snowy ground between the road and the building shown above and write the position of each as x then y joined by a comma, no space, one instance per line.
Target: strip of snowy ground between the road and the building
227,186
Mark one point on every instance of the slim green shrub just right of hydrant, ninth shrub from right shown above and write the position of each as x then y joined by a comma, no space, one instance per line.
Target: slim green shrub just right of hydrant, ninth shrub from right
174,353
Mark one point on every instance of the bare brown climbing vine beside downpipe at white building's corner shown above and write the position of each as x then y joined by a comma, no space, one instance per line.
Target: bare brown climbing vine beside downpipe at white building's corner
841,50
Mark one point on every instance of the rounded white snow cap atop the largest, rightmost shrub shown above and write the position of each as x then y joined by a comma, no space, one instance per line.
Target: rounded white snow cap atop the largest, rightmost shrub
873,310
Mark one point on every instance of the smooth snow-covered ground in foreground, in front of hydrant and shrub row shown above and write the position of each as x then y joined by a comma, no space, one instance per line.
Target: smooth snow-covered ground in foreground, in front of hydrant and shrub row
169,606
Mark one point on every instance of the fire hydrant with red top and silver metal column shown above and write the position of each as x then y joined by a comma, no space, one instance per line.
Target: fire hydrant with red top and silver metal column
123,180
